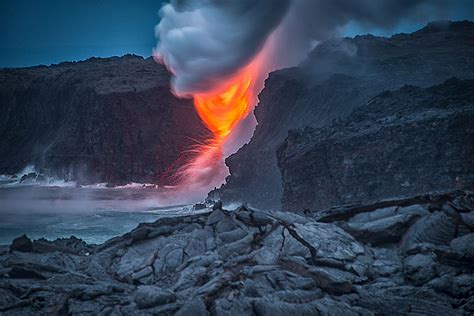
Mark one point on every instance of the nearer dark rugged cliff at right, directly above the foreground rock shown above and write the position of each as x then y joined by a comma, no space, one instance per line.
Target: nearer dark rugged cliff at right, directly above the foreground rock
405,142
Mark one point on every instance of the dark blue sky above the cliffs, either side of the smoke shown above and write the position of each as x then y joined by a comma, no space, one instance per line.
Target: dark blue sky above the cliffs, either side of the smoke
36,32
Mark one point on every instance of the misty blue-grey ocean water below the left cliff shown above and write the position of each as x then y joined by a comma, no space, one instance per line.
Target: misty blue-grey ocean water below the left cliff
94,214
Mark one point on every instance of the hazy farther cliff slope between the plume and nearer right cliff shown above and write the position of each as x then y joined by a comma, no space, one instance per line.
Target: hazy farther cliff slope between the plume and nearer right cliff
338,76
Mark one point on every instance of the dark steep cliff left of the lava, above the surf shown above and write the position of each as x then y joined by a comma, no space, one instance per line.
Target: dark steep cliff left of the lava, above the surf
102,120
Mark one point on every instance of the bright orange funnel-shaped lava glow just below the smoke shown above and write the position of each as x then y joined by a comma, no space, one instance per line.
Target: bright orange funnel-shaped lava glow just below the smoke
222,109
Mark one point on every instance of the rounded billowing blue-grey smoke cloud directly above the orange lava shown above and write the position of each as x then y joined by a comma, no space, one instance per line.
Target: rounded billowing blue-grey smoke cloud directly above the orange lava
204,41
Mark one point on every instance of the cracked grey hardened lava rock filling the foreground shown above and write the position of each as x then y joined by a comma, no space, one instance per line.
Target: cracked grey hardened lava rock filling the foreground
398,256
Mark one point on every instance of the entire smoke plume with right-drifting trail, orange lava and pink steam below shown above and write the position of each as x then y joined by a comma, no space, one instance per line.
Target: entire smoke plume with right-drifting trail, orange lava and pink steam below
220,51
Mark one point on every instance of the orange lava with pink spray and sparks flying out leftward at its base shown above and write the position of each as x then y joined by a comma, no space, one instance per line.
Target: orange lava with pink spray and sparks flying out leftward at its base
221,110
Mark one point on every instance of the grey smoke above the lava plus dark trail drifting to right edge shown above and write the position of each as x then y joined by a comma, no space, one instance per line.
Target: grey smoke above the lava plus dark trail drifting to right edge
203,41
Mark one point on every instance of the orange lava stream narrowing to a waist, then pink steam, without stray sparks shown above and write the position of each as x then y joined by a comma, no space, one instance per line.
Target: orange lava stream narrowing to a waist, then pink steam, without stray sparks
221,111
